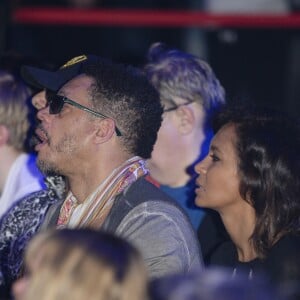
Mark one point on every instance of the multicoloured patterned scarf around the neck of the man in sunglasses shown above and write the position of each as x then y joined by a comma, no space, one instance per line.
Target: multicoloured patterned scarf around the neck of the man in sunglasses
96,207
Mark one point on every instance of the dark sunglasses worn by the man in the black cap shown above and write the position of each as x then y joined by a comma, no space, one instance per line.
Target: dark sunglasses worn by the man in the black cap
56,104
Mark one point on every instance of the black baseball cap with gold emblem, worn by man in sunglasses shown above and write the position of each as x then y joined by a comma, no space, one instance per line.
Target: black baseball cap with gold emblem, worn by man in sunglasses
54,80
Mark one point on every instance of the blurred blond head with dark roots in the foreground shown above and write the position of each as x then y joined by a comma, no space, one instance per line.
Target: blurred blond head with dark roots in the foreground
81,264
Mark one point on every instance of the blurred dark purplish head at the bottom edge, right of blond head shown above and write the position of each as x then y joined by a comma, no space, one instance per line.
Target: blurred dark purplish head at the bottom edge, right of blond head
212,284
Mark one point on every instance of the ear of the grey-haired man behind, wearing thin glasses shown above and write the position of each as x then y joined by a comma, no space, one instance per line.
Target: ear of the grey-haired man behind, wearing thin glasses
186,119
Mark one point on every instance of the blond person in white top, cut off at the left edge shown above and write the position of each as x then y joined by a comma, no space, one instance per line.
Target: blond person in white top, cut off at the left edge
19,175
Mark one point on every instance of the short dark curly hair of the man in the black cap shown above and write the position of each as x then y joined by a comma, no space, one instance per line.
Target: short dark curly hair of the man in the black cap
125,94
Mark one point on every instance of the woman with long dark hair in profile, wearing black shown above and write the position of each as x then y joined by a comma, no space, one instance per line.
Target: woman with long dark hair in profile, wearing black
251,177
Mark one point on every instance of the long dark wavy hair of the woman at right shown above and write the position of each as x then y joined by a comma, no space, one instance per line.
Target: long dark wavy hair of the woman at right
268,150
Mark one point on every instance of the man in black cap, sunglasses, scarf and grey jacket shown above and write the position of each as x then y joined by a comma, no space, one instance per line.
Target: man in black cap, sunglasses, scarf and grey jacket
99,124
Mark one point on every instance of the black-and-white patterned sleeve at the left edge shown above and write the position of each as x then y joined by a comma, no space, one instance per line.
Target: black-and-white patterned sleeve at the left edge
17,227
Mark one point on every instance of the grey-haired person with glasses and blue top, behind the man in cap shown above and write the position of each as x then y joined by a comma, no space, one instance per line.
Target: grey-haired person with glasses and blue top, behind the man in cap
191,95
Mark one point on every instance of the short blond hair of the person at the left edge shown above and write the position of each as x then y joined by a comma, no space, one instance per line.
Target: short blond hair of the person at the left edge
14,110
